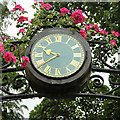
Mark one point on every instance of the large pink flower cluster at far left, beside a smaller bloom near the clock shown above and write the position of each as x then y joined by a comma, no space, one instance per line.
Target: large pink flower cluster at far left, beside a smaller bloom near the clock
8,56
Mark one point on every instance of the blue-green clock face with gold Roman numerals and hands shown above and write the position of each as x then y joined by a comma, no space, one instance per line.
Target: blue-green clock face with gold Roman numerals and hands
57,55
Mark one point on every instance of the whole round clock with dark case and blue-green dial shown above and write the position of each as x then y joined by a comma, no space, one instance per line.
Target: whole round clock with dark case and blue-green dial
59,61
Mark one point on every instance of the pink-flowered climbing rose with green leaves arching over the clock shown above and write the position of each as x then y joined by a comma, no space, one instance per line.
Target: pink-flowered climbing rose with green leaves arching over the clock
45,15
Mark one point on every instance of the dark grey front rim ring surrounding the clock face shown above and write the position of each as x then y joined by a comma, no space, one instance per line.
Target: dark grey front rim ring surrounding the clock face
85,66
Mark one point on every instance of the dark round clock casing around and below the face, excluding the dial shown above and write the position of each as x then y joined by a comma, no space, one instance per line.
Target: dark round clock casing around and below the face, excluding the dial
59,87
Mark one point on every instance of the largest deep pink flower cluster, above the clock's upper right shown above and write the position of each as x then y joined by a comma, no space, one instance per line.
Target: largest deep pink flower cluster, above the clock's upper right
77,16
